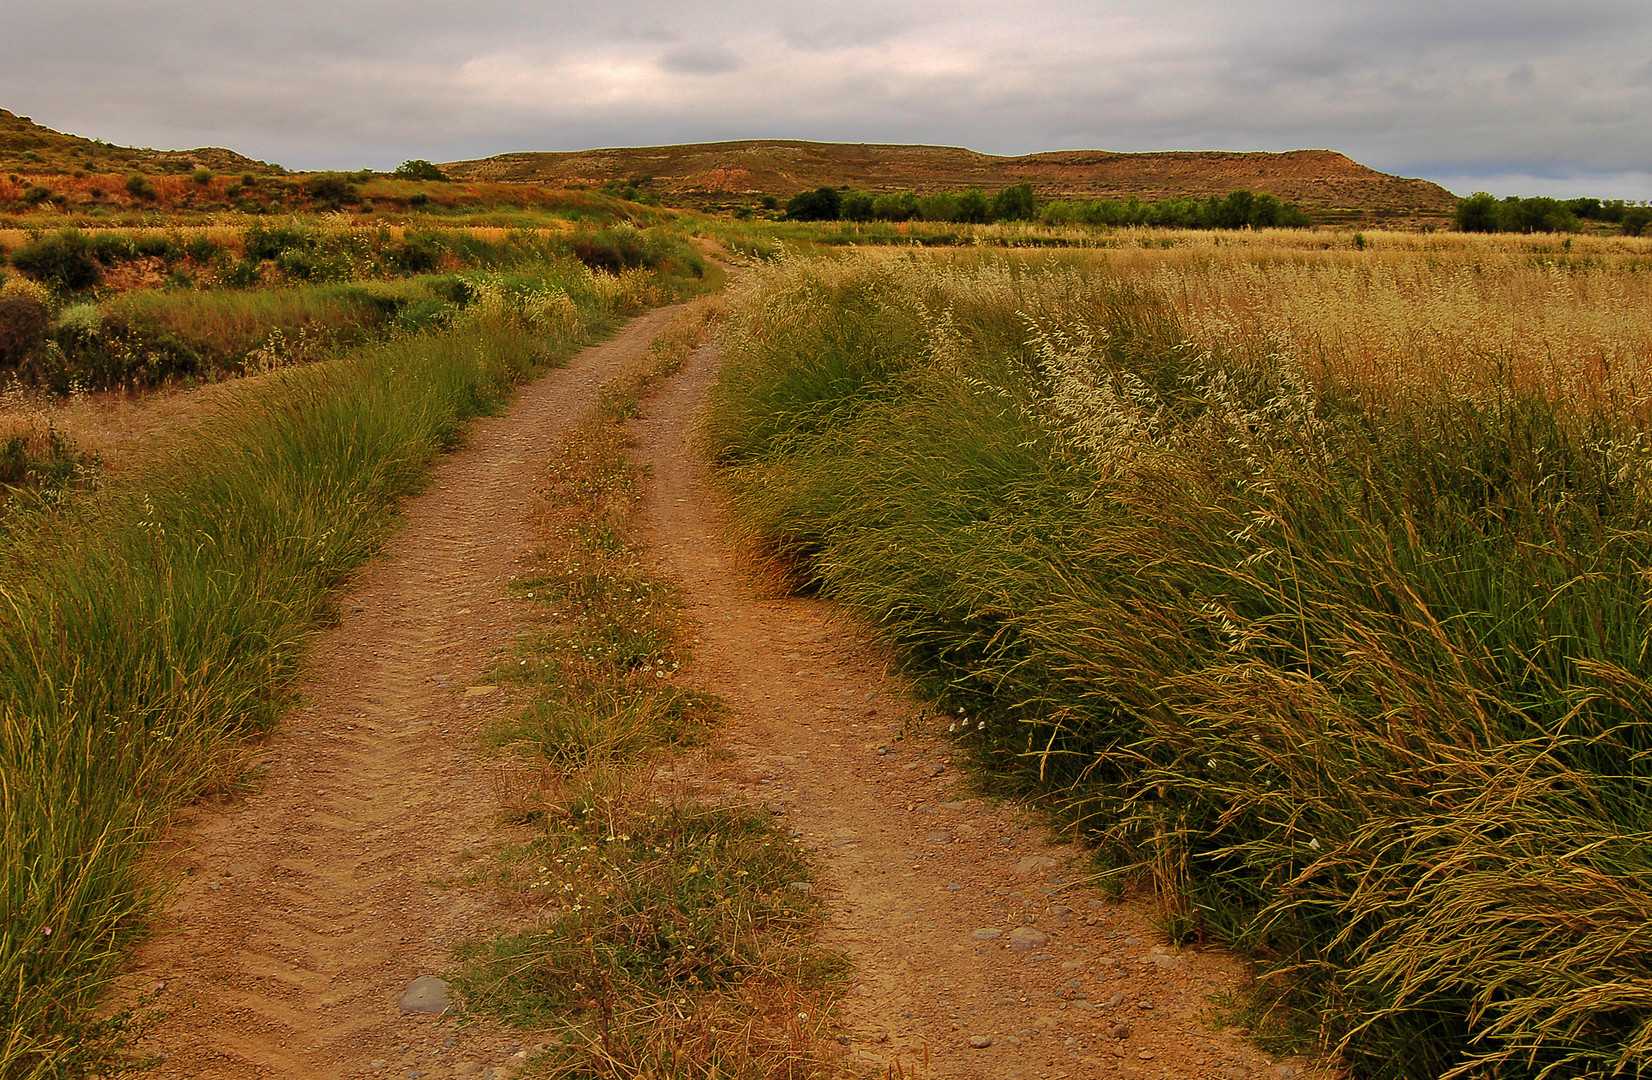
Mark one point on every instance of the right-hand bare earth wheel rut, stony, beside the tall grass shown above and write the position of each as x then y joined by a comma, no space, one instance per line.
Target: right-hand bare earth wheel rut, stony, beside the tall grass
977,952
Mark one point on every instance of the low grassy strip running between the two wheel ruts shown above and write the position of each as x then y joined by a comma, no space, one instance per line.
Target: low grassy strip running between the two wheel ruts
670,937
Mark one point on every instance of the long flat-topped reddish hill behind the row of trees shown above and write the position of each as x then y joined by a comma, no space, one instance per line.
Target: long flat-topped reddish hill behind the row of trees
1319,181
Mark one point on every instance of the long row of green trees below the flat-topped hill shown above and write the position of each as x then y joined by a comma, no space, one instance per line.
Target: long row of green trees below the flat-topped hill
1022,204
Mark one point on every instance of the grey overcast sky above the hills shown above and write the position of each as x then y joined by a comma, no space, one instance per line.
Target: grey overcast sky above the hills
1514,97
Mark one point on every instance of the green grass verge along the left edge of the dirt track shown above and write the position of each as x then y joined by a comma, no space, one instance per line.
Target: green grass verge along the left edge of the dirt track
150,632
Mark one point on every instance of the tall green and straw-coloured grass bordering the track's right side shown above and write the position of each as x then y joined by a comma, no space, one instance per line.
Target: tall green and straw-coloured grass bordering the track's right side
1352,671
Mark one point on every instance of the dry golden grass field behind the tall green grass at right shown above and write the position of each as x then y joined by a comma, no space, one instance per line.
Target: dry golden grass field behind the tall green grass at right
1570,318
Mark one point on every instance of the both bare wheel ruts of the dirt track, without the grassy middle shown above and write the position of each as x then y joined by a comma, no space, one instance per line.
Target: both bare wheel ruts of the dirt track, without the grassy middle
311,906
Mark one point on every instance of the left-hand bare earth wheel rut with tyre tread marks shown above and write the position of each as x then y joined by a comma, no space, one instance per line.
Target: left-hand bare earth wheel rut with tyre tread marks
308,909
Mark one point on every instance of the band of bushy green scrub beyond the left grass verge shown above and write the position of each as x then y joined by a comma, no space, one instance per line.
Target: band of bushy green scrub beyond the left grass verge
283,293
